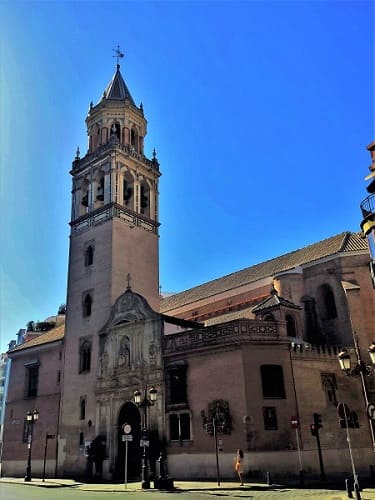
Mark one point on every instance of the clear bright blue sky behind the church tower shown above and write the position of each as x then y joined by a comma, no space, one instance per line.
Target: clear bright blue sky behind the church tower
260,113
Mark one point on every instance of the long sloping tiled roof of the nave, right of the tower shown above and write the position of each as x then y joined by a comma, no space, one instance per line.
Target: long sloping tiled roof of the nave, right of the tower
341,243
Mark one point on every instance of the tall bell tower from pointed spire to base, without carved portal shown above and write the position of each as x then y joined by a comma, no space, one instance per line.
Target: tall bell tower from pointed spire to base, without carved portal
114,245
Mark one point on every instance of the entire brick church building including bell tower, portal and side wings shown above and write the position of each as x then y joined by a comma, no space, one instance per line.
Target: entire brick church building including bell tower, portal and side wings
244,361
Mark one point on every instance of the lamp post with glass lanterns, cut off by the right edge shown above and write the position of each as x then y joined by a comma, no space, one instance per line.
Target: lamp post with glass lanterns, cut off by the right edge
360,370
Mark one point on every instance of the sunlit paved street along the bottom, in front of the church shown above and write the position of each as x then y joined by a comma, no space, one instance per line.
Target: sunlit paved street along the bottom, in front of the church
16,489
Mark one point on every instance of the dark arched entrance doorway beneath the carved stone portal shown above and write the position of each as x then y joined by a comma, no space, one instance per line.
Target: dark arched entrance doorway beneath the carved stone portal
129,414
